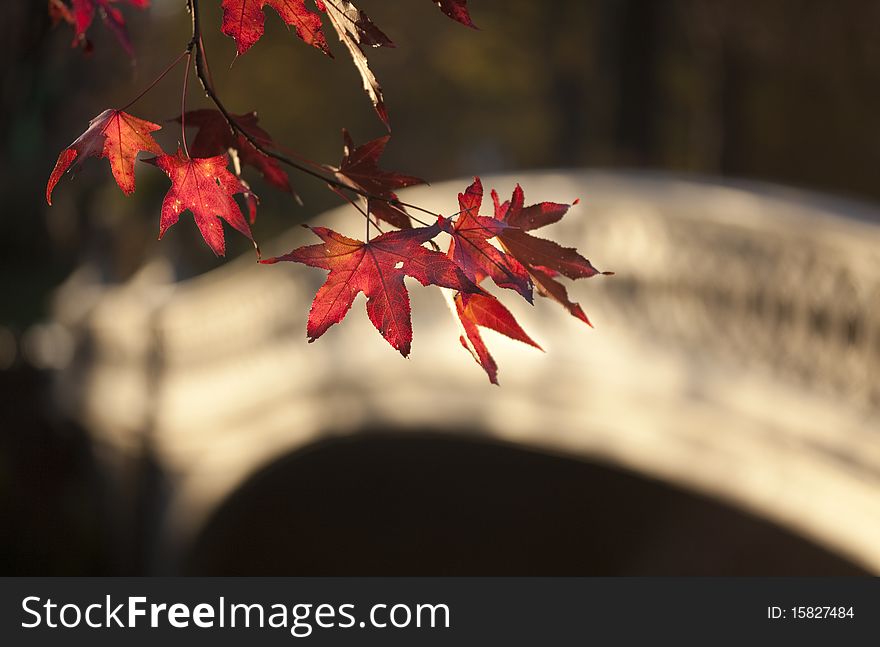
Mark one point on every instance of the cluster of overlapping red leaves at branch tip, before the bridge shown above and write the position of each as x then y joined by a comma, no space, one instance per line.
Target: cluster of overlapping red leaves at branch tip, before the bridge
517,260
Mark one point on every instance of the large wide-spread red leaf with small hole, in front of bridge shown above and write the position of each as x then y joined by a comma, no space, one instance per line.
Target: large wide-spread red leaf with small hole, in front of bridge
376,268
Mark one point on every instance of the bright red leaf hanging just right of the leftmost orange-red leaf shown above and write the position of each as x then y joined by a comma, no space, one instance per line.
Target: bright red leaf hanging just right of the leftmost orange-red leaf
205,187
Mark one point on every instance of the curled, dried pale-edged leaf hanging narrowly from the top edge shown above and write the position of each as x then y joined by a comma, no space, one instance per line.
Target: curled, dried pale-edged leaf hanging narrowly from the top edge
355,31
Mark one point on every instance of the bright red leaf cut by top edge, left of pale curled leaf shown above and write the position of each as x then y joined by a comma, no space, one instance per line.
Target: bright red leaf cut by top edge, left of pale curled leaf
243,21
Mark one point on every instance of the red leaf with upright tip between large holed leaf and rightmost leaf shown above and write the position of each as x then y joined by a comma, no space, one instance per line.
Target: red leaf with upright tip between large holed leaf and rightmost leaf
471,250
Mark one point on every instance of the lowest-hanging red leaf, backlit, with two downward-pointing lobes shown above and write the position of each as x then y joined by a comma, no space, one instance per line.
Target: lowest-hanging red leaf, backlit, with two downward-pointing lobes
484,310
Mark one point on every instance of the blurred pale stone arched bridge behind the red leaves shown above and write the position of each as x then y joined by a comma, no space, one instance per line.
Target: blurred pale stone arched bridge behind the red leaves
735,353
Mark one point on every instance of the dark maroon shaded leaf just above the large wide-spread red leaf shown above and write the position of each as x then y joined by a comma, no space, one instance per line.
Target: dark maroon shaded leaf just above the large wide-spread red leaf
360,169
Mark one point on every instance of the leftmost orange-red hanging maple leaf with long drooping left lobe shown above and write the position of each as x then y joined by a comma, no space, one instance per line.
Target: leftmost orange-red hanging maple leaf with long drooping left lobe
113,134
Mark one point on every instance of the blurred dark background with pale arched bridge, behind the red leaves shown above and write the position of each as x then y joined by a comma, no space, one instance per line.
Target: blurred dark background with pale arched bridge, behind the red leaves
693,110
